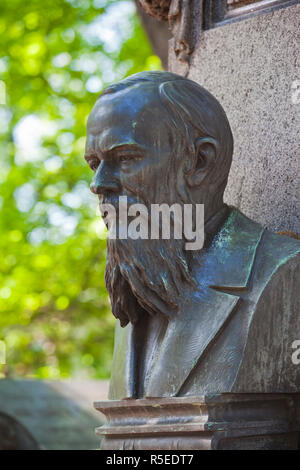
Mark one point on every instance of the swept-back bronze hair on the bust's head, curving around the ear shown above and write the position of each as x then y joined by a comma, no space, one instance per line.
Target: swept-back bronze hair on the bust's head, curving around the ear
194,113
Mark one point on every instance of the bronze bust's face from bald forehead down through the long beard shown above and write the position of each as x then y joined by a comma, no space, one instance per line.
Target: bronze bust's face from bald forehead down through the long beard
129,148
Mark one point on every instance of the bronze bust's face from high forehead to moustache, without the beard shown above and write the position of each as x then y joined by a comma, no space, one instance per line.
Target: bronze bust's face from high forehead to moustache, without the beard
128,146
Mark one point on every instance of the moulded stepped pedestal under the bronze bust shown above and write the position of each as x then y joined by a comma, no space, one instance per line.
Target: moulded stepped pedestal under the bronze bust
209,422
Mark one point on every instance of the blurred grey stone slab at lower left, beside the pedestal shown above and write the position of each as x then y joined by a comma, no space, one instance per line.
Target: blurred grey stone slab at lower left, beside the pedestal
59,415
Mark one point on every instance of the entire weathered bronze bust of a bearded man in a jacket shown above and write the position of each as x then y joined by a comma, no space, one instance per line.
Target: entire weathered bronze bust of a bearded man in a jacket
220,319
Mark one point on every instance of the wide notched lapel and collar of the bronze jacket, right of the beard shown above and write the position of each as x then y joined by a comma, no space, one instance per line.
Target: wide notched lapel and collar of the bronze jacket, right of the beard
224,273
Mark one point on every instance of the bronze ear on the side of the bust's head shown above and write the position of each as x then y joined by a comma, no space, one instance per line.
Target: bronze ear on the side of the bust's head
207,149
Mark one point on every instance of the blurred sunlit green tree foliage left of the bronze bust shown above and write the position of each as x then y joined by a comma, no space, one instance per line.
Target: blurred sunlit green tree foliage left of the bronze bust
55,58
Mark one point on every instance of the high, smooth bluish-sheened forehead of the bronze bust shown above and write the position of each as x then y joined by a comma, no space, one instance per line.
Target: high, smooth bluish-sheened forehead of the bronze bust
132,115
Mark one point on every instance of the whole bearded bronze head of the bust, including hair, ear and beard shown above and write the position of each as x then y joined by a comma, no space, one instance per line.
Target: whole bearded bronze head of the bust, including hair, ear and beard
156,138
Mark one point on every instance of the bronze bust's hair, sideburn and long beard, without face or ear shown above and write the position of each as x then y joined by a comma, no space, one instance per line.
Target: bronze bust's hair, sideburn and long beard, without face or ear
149,277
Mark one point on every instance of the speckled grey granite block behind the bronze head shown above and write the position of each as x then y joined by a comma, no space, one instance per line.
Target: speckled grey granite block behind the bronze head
250,67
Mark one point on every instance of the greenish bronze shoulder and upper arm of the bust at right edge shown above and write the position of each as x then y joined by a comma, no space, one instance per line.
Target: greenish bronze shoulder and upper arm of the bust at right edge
267,358
